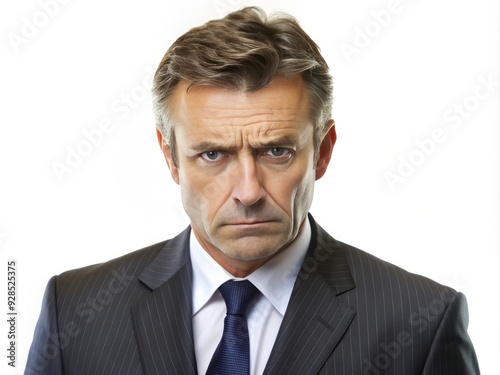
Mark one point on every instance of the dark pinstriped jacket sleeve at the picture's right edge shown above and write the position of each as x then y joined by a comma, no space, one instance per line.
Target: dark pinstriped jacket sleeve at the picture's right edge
452,351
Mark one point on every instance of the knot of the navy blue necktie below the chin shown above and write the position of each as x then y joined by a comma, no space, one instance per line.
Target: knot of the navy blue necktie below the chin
238,295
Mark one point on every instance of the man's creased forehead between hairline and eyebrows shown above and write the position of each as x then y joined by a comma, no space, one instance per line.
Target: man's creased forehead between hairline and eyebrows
229,119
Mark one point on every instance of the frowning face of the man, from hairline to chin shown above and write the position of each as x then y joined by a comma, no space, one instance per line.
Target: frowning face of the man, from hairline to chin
245,166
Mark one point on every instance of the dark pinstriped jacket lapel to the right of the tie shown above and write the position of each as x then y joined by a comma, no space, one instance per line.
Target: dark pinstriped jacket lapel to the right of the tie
315,319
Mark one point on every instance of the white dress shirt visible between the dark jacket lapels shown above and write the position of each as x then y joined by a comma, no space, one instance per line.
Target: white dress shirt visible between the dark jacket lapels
275,280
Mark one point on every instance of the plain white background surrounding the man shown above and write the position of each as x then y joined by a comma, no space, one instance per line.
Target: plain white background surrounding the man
406,80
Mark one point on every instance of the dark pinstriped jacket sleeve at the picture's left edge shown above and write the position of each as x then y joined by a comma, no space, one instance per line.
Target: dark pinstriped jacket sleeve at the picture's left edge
45,356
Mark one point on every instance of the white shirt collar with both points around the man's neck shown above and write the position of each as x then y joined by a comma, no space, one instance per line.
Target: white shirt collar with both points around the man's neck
275,279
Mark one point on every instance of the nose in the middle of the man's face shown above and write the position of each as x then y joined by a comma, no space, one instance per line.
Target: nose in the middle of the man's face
248,189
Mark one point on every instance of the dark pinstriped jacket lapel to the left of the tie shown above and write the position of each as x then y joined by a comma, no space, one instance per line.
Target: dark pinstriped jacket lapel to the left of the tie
162,320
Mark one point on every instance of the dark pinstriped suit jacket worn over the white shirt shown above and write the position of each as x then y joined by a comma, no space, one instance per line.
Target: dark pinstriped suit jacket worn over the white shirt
350,313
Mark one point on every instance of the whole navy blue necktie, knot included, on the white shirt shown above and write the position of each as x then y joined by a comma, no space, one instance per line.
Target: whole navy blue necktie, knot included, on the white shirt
232,356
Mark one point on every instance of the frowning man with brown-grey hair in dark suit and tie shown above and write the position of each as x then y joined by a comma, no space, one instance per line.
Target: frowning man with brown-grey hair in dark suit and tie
243,108
